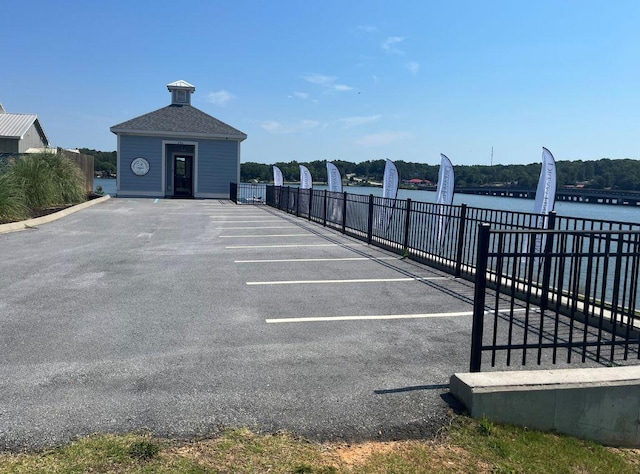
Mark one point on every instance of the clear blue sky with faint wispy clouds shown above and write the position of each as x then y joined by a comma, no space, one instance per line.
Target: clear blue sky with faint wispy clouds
315,80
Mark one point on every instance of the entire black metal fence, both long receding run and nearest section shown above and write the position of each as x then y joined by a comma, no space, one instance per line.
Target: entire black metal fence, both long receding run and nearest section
573,287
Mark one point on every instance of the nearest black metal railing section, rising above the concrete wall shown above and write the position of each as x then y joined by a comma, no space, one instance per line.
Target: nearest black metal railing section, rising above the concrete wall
544,294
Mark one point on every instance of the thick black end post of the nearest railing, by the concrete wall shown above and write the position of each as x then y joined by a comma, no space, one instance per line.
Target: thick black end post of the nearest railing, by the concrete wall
482,255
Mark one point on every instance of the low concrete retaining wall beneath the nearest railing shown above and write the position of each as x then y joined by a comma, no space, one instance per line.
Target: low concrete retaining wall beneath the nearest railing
601,404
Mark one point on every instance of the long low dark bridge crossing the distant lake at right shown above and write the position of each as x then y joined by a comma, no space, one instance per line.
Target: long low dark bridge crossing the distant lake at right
591,196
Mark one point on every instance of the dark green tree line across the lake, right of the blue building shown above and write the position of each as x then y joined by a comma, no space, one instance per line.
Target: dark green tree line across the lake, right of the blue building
621,174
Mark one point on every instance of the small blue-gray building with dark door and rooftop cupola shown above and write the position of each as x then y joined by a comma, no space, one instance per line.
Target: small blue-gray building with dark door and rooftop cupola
177,151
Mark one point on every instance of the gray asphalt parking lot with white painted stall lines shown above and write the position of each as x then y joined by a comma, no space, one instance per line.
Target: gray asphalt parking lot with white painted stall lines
182,318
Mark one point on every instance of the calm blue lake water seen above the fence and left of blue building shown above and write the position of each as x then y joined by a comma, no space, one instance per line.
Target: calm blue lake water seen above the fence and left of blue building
571,209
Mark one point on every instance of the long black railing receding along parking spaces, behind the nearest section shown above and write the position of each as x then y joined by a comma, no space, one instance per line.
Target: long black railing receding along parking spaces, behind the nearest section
438,235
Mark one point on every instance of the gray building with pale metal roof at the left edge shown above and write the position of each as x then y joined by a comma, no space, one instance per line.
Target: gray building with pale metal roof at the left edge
20,132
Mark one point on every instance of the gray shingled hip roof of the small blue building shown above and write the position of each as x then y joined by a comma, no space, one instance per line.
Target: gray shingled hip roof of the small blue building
178,120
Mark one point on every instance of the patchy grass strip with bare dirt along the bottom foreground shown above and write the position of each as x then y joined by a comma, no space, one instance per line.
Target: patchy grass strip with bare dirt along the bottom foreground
466,446
